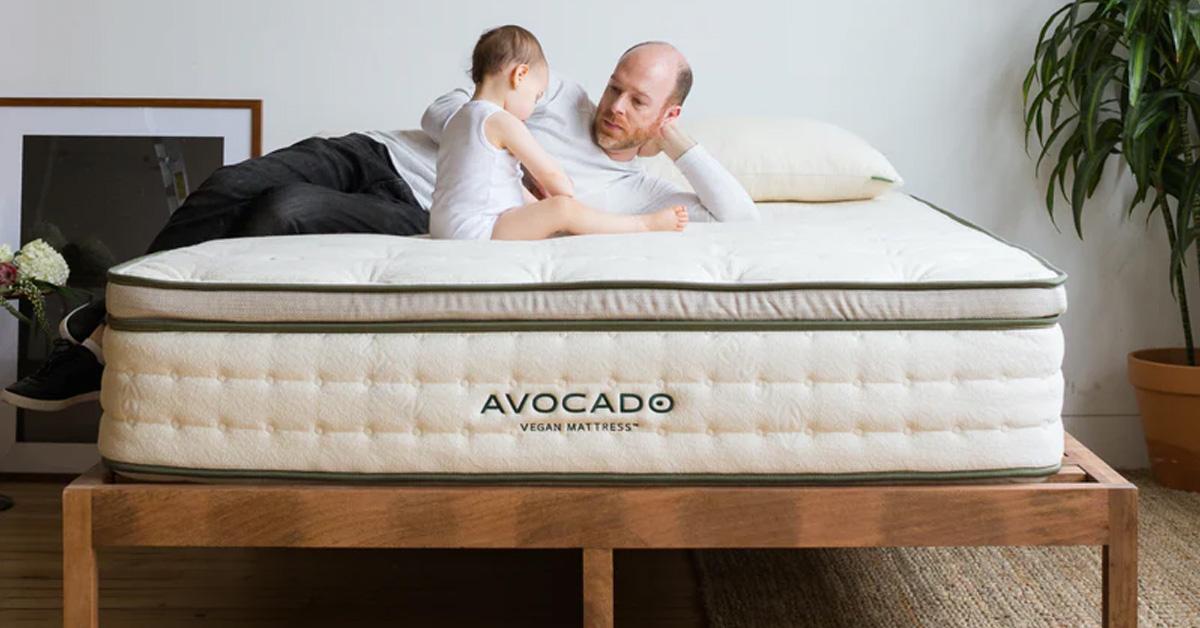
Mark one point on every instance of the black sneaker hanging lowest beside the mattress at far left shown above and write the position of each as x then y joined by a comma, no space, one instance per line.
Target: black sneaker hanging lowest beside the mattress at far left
71,375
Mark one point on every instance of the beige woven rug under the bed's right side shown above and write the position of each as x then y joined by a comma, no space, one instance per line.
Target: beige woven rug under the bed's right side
959,587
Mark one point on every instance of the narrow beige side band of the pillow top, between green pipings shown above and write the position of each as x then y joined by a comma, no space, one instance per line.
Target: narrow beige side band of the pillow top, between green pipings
813,304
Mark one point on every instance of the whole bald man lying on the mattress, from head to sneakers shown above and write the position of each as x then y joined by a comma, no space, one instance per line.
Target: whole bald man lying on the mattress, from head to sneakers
383,182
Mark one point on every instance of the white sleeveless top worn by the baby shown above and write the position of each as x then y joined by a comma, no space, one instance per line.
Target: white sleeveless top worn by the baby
476,181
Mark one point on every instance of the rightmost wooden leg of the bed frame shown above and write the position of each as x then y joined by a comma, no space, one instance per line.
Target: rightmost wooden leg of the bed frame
1120,606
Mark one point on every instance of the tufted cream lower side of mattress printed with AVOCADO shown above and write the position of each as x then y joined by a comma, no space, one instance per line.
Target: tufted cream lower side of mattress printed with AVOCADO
753,403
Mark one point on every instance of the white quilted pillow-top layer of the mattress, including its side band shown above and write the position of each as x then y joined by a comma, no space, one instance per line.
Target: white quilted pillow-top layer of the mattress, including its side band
890,259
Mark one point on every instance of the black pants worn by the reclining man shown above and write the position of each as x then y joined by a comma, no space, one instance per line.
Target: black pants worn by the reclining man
337,186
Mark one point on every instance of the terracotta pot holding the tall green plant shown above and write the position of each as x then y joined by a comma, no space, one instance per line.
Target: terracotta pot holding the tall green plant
1169,398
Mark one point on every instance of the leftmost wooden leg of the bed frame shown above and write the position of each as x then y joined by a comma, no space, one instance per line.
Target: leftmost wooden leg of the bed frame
81,591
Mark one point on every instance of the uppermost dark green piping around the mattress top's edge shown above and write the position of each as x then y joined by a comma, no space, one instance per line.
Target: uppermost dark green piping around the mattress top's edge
116,277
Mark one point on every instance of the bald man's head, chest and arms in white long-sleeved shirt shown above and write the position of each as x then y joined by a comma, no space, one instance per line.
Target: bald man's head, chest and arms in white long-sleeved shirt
637,117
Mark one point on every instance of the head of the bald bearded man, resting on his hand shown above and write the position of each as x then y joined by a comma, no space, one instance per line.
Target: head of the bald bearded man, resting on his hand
637,101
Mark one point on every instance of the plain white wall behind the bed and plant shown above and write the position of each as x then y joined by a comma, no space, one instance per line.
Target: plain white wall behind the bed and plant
934,83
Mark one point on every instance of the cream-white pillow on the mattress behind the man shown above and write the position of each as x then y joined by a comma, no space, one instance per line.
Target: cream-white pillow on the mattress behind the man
789,159
